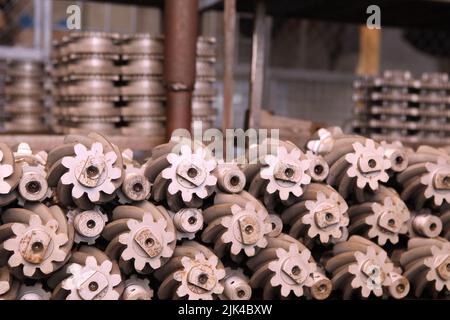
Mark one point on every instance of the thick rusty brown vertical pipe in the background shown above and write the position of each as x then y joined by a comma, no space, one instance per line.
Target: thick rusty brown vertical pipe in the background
180,30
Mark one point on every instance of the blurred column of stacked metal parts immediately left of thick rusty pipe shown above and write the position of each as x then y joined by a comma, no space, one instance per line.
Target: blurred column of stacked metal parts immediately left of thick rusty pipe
143,90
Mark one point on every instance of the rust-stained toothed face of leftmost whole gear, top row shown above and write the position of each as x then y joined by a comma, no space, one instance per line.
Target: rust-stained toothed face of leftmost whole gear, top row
101,178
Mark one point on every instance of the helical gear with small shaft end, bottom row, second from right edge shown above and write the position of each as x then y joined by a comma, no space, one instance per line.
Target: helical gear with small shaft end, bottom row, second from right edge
360,267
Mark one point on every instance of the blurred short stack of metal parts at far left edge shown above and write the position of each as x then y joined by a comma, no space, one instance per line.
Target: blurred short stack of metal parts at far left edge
25,97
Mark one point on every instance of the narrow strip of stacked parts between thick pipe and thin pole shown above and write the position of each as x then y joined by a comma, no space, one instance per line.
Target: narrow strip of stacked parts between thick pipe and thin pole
204,92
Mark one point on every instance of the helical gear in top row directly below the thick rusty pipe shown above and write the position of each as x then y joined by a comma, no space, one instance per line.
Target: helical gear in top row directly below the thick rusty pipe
181,173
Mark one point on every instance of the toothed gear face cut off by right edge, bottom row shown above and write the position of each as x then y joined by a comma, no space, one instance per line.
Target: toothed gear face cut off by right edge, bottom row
440,259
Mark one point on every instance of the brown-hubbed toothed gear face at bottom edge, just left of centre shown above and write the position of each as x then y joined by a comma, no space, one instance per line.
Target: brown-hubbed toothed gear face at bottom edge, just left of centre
200,277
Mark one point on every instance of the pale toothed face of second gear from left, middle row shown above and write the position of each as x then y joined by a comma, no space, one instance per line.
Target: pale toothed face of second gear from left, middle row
150,235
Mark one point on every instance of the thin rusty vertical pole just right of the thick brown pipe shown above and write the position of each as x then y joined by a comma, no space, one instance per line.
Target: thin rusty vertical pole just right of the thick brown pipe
229,17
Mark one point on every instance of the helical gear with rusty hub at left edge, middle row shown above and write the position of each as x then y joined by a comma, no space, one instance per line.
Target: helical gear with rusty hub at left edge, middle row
36,239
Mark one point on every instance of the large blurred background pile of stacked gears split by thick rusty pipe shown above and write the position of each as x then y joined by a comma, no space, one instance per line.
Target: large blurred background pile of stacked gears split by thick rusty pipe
113,84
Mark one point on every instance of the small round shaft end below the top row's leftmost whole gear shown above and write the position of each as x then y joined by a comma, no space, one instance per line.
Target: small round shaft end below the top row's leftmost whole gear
88,224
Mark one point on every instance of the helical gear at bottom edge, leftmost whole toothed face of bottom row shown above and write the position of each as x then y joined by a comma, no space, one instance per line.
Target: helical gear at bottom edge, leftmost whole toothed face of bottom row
88,275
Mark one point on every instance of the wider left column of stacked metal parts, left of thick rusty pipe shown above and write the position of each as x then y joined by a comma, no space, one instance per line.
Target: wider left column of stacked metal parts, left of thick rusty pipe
85,83
